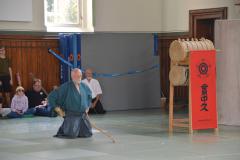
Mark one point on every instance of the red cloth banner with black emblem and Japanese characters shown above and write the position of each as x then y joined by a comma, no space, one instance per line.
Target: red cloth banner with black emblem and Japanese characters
203,89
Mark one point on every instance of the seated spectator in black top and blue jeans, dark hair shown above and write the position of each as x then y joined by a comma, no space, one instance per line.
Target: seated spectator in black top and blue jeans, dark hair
37,99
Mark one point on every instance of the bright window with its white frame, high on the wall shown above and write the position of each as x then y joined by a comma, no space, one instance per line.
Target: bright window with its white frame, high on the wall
68,15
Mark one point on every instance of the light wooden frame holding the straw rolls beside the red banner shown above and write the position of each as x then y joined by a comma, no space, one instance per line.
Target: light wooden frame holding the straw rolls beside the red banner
181,122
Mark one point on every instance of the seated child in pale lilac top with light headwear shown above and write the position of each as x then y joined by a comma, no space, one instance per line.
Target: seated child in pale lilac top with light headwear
19,105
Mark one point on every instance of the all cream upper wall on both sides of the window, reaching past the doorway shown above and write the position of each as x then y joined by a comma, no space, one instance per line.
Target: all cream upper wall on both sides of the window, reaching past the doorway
132,15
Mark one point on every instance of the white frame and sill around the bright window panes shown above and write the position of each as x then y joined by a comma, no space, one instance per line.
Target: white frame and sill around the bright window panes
85,19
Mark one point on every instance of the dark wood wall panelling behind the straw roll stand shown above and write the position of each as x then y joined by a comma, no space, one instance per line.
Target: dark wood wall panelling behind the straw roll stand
164,42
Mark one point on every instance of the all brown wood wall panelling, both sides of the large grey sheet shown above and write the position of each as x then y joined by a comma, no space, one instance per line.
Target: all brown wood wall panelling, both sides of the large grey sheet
29,54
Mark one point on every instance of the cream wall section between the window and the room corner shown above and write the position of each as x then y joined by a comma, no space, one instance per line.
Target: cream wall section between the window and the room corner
128,15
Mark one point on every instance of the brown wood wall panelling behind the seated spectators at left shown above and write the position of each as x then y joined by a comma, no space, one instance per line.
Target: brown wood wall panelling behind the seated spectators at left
29,54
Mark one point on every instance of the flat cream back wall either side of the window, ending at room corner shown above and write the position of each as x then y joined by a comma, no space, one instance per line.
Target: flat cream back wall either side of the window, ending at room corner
109,15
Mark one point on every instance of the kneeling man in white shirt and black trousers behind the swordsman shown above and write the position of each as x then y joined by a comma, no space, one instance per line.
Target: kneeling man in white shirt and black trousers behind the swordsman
96,92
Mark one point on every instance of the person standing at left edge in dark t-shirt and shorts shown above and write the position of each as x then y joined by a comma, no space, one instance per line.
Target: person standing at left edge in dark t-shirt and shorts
6,80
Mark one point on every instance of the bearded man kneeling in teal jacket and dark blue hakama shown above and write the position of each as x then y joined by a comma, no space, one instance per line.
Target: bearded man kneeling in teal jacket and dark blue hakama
74,98
